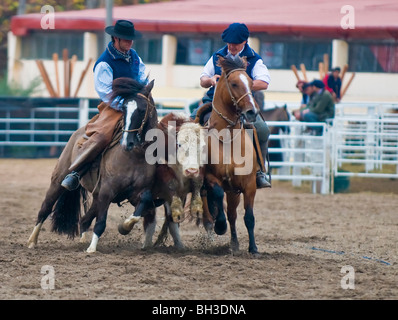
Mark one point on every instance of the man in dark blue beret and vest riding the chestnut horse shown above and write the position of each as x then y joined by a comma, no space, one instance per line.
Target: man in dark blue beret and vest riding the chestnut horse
236,36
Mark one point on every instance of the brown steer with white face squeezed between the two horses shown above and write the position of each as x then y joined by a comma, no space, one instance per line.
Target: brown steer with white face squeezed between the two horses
179,171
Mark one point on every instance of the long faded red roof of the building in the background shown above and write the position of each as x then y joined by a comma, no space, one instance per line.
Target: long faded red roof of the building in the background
373,18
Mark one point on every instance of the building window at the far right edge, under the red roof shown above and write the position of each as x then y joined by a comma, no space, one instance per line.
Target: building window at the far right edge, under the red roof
373,57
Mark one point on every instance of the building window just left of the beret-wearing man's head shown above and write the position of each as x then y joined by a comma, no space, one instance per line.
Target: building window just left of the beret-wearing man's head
196,51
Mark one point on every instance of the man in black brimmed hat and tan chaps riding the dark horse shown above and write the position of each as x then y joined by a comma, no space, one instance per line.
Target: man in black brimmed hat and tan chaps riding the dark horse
118,60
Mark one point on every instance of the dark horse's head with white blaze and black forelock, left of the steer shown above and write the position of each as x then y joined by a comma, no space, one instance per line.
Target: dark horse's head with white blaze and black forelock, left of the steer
139,112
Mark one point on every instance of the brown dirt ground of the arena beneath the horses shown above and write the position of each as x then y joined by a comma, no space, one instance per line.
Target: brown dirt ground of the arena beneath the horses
305,240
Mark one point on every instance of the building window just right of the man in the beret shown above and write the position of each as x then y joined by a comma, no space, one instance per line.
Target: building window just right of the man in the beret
281,55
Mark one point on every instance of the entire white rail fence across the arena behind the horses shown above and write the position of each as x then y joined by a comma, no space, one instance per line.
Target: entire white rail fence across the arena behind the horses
362,140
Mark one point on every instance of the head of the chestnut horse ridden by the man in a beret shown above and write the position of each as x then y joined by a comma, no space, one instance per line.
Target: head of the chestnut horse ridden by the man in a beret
238,84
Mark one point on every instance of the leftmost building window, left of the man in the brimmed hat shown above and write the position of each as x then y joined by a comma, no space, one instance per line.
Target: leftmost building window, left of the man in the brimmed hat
42,45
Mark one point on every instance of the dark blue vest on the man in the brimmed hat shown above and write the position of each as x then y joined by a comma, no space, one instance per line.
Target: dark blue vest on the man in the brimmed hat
120,66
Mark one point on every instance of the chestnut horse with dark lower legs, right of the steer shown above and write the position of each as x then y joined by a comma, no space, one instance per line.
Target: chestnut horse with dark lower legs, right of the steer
233,103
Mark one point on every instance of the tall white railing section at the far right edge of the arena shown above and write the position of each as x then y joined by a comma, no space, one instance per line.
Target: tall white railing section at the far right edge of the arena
369,143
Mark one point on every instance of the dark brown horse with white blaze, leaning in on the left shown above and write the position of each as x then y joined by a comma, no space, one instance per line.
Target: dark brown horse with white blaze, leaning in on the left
122,171
